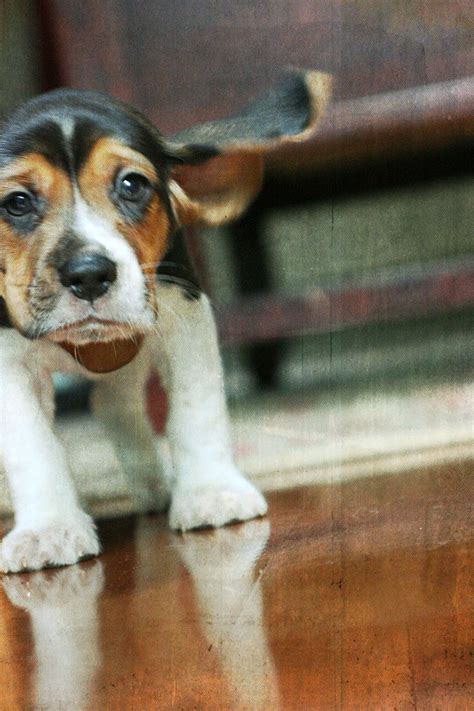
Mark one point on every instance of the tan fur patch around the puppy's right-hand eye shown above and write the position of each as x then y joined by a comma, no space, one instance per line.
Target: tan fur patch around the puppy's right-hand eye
148,235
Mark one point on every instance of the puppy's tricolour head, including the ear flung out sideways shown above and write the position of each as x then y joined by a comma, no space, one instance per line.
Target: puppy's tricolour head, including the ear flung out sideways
91,194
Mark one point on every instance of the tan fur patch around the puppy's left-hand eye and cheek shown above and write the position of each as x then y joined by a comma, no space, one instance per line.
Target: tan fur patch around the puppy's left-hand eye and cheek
21,254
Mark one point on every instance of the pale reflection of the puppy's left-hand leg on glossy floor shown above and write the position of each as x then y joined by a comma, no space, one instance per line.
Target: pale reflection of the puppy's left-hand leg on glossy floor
63,612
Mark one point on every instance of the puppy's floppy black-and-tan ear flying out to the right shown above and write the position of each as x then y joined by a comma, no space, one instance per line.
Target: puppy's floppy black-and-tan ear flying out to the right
218,166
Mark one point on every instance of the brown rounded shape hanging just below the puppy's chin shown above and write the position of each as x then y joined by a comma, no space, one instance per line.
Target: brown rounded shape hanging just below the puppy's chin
104,357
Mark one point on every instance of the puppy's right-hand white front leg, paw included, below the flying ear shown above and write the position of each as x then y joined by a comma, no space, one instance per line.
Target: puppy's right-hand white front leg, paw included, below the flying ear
209,490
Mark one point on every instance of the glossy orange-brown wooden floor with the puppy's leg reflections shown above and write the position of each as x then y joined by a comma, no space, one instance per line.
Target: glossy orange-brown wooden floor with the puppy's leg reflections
353,596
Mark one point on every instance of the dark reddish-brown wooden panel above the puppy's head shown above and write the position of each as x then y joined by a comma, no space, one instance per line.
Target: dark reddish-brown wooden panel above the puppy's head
181,62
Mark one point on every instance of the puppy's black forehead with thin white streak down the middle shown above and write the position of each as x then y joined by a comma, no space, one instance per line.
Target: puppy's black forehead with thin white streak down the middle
64,126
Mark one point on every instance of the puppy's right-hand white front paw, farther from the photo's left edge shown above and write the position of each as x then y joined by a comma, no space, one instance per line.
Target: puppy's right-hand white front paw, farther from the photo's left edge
214,504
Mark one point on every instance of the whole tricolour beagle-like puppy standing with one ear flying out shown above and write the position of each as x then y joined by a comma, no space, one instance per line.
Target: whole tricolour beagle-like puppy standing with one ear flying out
92,199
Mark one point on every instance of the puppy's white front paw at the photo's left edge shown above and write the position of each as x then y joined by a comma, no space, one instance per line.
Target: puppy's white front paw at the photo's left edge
53,544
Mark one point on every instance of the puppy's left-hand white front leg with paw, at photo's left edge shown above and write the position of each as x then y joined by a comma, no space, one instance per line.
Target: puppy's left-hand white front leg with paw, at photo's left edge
50,528
